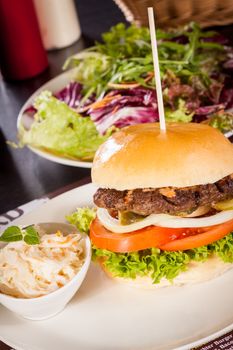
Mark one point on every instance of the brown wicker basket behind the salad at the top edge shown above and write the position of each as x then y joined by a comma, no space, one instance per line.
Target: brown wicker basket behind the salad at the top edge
171,13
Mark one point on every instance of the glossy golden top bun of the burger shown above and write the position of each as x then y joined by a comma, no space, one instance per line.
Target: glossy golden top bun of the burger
143,156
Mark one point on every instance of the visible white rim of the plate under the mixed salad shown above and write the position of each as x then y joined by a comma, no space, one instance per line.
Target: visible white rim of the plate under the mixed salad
52,85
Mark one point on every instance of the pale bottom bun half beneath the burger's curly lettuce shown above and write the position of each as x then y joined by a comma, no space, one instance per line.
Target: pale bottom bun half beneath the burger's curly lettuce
197,272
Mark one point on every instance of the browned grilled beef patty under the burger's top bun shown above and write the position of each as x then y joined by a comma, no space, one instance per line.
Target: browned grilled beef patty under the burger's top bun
171,200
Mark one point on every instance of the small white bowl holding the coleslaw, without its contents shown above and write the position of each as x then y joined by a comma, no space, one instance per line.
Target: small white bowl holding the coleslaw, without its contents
49,305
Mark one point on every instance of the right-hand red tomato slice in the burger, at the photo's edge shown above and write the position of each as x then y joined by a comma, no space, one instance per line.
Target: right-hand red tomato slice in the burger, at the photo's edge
199,237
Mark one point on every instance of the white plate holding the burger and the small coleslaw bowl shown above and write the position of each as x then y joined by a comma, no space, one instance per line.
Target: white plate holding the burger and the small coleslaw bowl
106,315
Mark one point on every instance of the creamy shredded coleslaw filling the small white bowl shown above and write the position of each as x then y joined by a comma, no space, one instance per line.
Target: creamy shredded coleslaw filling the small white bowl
30,271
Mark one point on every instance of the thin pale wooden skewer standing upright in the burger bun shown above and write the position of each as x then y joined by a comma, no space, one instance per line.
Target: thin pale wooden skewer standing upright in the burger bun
156,69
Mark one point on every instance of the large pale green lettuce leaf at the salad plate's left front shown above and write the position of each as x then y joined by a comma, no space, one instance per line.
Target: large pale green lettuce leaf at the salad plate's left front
59,129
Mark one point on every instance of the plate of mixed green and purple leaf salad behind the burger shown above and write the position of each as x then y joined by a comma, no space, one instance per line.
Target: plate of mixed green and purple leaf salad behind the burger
111,85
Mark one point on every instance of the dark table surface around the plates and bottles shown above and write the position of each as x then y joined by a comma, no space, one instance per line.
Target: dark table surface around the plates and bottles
25,176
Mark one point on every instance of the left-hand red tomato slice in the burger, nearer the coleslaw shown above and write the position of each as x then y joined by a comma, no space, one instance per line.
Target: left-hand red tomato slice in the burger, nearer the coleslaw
148,237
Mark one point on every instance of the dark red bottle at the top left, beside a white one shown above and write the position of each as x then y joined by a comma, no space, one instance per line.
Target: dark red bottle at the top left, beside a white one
22,54
